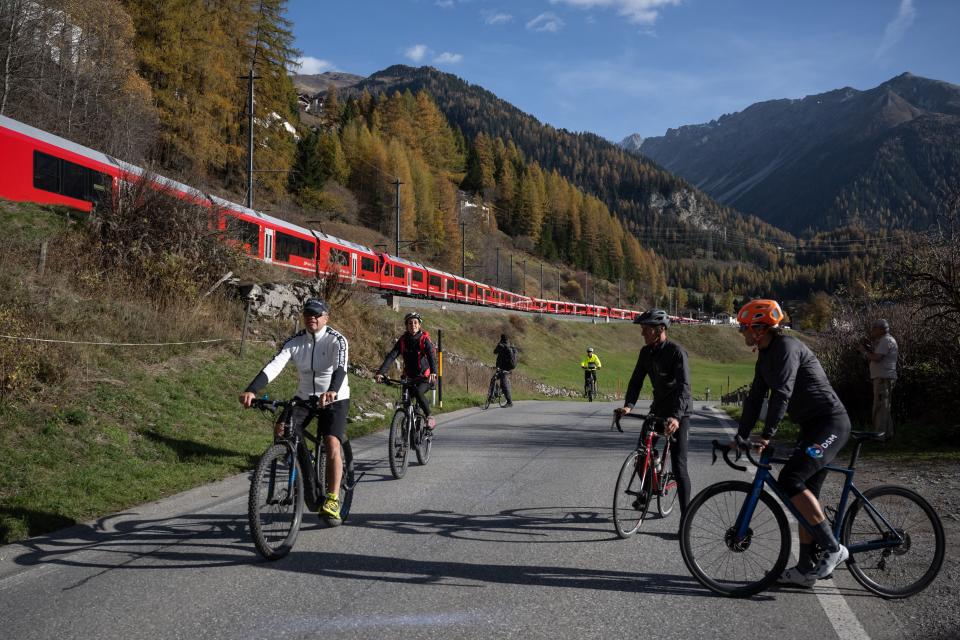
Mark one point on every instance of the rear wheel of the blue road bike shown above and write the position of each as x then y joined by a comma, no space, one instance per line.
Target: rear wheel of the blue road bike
903,569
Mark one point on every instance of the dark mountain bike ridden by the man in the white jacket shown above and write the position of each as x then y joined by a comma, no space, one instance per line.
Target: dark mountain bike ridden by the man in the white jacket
288,475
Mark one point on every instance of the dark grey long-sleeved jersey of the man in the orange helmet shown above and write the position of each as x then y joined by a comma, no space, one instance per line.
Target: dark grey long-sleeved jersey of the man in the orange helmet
797,385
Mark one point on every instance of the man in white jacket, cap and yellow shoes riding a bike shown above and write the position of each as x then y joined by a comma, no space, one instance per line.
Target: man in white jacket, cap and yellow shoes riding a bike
320,355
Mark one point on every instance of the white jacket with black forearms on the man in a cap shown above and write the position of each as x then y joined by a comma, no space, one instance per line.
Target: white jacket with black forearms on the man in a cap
321,361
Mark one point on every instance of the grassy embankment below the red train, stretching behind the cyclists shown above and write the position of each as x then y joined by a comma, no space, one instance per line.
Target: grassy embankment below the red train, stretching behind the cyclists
87,430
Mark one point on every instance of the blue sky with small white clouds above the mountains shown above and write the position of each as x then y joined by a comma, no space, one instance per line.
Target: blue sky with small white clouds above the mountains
615,67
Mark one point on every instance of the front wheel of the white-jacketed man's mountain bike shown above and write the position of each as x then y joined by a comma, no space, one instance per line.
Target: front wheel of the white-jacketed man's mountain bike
275,505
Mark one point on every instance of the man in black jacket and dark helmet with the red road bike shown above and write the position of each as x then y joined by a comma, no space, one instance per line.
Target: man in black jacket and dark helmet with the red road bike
666,364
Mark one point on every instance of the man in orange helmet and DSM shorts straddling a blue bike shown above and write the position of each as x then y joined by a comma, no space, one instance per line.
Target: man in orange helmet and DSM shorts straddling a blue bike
790,376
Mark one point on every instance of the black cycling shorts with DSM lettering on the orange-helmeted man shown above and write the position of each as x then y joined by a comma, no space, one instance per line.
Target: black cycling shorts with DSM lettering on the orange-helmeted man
817,446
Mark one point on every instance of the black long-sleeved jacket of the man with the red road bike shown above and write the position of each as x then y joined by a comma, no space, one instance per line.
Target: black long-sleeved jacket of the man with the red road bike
666,364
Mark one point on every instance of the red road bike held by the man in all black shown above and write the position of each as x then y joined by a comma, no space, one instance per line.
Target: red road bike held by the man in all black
646,473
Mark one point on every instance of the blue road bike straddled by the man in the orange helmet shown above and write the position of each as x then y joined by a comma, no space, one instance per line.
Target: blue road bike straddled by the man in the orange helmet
735,538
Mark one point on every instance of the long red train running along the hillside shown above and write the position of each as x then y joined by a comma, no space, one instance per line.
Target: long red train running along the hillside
36,166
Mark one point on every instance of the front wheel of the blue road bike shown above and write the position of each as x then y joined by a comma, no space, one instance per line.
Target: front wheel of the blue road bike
716,558
